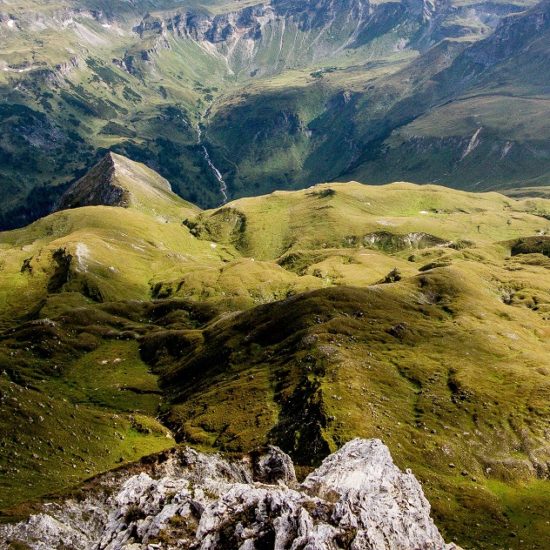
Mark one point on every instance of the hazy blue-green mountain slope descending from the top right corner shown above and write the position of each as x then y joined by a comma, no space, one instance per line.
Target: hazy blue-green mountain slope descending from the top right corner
485,122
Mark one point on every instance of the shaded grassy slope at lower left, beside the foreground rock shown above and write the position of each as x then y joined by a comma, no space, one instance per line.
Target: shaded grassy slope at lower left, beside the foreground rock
65,425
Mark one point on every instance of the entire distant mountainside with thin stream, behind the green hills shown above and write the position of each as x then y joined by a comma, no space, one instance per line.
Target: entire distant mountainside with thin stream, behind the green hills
274,95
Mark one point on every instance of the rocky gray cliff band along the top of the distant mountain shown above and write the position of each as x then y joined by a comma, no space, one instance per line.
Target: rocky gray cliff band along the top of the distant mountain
321,27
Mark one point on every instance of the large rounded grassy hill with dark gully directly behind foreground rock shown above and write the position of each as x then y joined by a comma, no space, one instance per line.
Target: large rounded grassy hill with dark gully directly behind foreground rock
458,397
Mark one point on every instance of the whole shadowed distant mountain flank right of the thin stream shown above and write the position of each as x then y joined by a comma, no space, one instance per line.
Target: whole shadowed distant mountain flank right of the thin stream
439,117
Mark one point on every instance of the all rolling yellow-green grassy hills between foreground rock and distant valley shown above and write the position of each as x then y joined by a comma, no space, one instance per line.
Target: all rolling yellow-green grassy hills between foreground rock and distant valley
416,314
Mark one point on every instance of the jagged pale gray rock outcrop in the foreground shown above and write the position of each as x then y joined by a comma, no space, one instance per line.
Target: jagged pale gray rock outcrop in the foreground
356,499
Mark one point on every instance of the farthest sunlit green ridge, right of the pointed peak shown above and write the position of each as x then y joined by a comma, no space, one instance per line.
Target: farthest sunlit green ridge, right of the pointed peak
284,222
